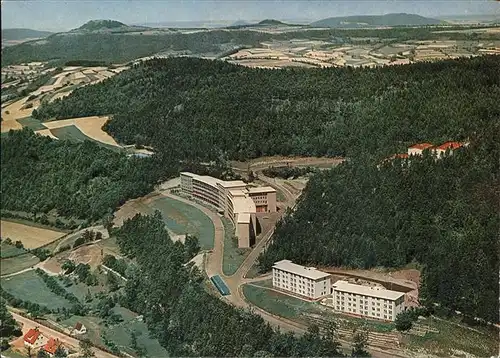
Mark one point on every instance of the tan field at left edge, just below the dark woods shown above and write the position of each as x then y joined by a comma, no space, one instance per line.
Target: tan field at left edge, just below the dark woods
31,237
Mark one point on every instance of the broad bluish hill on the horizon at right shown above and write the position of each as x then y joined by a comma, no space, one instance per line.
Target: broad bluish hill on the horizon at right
376,20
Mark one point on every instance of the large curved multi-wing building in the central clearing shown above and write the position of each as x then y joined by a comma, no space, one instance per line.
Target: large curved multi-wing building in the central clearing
234,199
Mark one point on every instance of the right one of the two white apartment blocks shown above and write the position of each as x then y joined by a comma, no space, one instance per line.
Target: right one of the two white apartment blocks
371,302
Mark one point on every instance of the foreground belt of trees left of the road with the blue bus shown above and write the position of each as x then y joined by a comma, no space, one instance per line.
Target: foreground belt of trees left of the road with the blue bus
186,320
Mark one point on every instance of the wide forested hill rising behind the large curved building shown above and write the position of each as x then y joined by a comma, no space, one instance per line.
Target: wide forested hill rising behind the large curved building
246,113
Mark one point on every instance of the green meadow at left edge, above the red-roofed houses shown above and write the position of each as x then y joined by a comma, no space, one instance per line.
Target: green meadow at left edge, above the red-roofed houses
29,286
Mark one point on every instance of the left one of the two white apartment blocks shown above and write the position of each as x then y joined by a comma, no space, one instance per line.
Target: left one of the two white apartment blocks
303,281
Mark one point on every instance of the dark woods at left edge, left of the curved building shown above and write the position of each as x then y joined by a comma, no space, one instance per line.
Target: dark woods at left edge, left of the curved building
81,180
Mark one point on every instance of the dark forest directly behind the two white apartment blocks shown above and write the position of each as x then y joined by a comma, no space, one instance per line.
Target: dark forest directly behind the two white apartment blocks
441,213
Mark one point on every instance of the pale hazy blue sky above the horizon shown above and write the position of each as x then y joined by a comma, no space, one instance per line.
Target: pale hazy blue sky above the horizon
60,15
